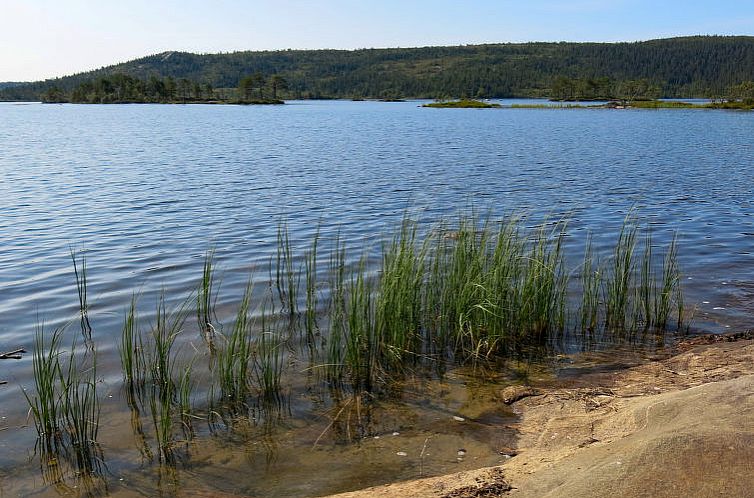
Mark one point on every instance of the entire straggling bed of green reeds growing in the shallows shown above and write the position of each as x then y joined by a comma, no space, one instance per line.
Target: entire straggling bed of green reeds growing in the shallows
472,291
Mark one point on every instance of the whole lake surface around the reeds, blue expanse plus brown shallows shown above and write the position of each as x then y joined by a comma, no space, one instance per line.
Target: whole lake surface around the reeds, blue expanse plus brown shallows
145,191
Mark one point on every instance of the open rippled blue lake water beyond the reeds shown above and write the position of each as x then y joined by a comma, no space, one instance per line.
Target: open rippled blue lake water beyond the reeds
146,190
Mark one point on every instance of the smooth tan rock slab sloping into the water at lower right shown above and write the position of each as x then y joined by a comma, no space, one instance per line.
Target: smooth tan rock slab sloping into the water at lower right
675,426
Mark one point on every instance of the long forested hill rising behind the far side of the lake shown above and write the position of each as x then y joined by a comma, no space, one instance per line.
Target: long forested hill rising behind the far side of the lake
698,66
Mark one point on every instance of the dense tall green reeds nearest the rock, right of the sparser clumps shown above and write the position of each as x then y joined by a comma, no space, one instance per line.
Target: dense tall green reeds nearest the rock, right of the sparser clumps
482,290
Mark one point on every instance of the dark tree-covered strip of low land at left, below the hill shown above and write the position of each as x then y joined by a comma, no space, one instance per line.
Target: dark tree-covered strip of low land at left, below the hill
122,88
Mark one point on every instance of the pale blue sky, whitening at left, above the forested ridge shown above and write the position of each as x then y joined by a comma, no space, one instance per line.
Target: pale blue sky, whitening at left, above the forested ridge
49,38
